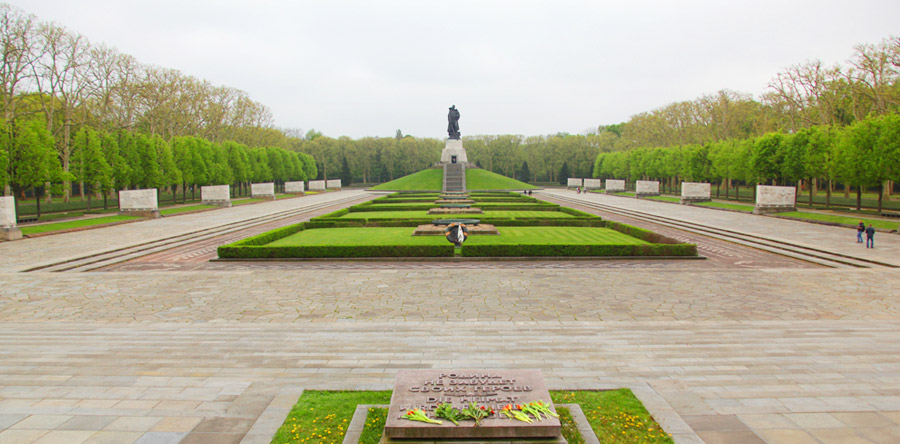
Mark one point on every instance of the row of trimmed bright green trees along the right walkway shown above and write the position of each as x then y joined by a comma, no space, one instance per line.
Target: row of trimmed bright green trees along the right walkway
864,154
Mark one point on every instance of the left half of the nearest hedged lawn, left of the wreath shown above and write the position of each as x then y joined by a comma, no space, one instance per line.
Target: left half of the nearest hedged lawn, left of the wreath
379,236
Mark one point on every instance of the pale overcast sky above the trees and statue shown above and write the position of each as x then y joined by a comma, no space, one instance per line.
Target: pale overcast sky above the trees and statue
368,68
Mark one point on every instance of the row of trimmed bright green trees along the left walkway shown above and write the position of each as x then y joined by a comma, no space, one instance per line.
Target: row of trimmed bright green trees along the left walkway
106,161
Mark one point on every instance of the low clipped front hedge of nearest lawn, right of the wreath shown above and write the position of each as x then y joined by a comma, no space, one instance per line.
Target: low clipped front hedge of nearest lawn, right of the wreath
578,250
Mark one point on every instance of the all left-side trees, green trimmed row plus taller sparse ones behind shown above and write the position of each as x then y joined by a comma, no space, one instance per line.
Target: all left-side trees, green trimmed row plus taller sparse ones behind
107,120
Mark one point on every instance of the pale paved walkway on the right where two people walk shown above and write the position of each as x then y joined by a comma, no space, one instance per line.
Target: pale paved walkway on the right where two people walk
835,239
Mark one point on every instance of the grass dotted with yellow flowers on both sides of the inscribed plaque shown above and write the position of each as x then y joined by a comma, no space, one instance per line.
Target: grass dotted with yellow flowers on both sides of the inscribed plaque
322,417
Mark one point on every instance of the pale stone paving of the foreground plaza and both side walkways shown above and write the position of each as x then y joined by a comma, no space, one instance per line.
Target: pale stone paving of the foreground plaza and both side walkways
219,355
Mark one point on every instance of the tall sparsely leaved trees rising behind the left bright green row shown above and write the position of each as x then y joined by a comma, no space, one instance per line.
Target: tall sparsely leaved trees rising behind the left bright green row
73,85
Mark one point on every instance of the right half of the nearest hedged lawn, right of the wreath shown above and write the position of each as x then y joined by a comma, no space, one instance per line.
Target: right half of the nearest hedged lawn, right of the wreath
555,236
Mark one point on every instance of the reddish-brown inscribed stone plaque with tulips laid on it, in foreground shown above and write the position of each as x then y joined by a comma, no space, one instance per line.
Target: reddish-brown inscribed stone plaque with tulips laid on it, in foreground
493,389
